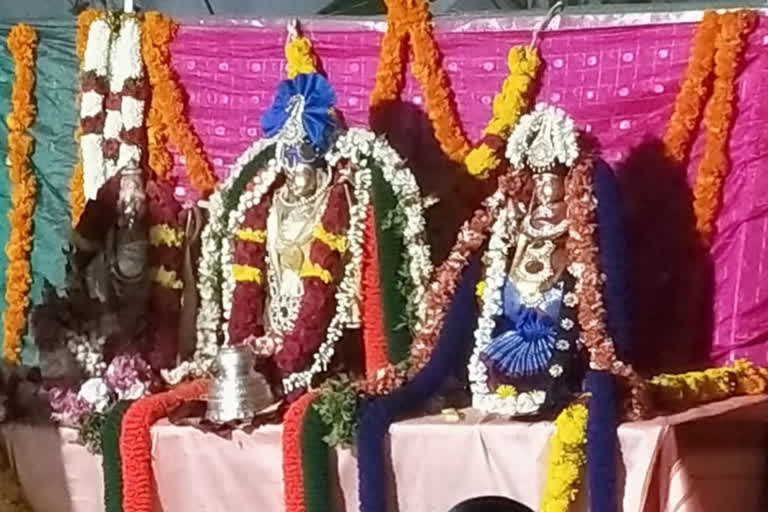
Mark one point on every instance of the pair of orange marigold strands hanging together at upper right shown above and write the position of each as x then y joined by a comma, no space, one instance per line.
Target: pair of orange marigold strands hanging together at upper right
716,59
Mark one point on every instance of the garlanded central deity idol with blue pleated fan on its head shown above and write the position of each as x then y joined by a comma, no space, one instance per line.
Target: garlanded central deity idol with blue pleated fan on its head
282,254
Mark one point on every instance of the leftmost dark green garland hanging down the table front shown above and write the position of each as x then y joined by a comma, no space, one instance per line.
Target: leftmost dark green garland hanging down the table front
110,449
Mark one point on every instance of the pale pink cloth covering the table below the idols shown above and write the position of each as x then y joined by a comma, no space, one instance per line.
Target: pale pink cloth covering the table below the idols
709,458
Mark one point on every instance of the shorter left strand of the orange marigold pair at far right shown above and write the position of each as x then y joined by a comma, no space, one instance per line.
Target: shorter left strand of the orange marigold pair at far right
693,91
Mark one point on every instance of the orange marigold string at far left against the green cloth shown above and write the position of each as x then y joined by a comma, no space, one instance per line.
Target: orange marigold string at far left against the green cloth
22,44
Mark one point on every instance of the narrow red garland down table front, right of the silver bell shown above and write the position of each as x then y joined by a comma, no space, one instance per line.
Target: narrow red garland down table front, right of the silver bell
293,478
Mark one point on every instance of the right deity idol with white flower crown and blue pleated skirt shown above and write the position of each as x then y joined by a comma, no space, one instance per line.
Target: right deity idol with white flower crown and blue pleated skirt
542,293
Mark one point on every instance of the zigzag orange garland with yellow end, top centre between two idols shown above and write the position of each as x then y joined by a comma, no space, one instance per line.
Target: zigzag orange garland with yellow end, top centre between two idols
408,23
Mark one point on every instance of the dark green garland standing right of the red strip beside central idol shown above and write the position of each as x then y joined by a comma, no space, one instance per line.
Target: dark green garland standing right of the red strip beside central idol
390,255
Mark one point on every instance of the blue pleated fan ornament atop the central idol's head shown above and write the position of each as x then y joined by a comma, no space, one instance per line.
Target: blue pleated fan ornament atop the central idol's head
316,118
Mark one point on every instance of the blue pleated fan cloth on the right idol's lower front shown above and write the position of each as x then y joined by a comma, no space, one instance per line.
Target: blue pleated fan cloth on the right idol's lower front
526,349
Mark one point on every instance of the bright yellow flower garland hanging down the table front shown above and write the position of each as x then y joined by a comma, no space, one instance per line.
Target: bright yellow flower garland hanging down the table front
566,459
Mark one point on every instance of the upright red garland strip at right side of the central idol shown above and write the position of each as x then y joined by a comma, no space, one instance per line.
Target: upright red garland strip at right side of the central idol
374,337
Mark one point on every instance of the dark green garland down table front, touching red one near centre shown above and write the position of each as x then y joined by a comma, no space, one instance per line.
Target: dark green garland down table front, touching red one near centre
315,461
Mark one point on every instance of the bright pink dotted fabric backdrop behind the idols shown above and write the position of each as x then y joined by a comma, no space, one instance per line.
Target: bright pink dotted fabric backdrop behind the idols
619,83
